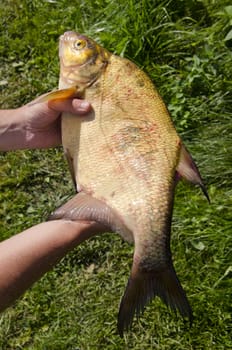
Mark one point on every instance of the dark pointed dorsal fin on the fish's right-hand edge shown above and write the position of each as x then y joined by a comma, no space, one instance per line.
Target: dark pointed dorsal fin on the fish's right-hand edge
188,170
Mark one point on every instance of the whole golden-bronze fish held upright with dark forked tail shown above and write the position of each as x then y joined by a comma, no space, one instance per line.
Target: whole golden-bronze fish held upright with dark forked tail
125,158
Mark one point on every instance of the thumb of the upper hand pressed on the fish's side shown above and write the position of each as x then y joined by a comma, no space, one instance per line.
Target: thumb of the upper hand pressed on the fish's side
74,106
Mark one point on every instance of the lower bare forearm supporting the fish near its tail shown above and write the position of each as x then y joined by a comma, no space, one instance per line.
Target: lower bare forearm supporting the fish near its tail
27,256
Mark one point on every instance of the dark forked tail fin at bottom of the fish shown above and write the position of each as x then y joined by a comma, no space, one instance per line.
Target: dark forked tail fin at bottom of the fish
143,286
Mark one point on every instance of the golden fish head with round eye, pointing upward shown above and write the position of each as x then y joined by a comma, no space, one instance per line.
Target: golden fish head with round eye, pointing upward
81,59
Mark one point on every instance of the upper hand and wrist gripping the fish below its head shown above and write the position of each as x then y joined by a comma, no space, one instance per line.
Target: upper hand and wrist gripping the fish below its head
36,125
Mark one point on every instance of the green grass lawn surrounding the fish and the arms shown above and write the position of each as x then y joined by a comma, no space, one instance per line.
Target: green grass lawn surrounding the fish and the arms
185,46
